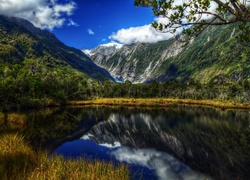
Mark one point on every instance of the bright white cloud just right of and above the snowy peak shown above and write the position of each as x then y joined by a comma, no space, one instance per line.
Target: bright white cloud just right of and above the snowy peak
143,34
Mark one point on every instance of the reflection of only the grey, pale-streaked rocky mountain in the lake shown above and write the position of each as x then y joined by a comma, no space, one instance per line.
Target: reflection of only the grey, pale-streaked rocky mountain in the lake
138,131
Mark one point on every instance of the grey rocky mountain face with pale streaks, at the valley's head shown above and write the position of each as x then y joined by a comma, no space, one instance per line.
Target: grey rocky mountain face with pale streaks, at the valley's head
136,62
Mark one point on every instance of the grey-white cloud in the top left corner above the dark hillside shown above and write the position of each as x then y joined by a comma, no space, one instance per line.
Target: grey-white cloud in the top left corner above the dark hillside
45,14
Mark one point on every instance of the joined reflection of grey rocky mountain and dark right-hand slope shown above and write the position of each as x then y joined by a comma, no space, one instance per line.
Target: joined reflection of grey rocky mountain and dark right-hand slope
213,142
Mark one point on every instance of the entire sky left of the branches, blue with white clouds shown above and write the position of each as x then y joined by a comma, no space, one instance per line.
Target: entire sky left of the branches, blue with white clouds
85,24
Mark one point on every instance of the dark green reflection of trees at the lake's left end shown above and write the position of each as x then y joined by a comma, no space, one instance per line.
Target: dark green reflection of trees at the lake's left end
43,125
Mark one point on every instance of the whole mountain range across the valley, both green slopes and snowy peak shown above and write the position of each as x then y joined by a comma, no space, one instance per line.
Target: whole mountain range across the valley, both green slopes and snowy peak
214,56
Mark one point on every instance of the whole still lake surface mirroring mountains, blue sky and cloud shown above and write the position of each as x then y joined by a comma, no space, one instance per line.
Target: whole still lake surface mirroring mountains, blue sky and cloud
161,143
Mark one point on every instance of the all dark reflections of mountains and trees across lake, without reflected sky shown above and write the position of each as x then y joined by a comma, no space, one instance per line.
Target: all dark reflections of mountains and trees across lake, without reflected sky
214,142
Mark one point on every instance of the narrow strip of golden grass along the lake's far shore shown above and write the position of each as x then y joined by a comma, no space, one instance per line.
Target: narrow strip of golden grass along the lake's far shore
152,102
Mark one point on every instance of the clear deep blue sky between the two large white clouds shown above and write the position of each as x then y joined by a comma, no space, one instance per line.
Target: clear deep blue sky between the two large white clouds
98,19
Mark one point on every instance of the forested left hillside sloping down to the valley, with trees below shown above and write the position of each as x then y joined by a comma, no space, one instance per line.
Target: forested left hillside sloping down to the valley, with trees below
37,69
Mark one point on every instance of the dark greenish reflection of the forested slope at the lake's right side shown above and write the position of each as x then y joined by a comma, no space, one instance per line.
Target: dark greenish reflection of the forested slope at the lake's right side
219,141
